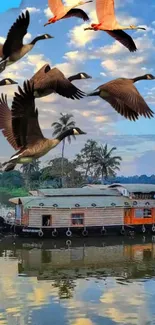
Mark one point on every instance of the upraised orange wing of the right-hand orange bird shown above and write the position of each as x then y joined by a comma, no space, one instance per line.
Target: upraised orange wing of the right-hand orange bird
105,11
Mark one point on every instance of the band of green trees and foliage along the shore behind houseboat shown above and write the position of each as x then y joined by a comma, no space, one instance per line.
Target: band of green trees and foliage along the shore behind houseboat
94,164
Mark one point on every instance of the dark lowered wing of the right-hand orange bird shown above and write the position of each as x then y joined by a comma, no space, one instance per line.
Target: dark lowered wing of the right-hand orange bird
123,38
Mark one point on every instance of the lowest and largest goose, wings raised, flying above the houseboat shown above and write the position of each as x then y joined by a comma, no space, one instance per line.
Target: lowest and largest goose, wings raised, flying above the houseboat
21,128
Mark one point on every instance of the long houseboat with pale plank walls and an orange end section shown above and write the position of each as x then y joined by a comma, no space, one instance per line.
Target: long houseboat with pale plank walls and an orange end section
100,210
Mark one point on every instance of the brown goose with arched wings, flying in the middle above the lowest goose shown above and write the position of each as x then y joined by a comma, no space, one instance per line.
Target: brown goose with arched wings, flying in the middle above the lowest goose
47,80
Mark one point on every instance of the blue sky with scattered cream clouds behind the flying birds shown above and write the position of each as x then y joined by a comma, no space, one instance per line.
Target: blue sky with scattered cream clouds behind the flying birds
73,50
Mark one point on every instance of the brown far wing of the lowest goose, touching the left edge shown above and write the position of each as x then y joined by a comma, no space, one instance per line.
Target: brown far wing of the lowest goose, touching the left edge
6,122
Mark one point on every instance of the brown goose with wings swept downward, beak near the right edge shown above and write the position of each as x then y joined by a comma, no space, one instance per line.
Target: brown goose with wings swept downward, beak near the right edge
124,97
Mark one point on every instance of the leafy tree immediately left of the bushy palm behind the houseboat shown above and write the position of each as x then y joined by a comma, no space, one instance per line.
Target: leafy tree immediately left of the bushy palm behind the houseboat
85,159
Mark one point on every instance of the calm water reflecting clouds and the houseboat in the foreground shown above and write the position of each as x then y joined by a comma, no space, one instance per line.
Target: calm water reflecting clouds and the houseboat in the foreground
90,282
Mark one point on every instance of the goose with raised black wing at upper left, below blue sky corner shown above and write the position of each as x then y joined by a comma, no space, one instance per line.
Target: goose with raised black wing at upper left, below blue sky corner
13,49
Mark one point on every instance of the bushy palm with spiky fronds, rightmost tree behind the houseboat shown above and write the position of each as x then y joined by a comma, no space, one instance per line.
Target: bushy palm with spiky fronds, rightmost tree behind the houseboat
106,163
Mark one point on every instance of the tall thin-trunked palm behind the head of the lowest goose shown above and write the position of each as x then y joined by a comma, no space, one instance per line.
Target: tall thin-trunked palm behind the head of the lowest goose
59,127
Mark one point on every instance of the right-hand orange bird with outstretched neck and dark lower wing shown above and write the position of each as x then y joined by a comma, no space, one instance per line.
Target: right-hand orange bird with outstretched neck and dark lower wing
107,22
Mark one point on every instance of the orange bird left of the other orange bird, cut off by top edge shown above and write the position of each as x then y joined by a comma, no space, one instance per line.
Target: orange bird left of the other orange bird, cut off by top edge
60,11
